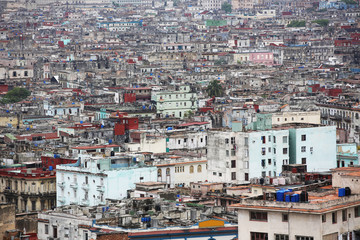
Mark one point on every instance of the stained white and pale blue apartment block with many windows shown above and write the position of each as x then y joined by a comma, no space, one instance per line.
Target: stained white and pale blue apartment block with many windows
235,157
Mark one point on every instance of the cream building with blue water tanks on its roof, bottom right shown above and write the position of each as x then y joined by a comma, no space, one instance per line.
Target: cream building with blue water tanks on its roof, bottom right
325,215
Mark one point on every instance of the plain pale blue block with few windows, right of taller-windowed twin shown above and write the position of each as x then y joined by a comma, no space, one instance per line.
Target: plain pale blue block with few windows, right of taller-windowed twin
313,146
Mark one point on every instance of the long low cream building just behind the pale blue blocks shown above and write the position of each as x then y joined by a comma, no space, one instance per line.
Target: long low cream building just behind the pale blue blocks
296,117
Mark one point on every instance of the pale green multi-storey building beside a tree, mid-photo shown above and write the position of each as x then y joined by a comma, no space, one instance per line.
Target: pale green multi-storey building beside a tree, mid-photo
177,103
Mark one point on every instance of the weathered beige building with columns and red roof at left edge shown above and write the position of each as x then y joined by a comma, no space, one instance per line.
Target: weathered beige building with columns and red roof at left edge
28,190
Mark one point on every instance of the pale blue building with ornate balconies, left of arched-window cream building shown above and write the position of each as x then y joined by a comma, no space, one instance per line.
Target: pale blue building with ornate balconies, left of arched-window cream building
91,181
